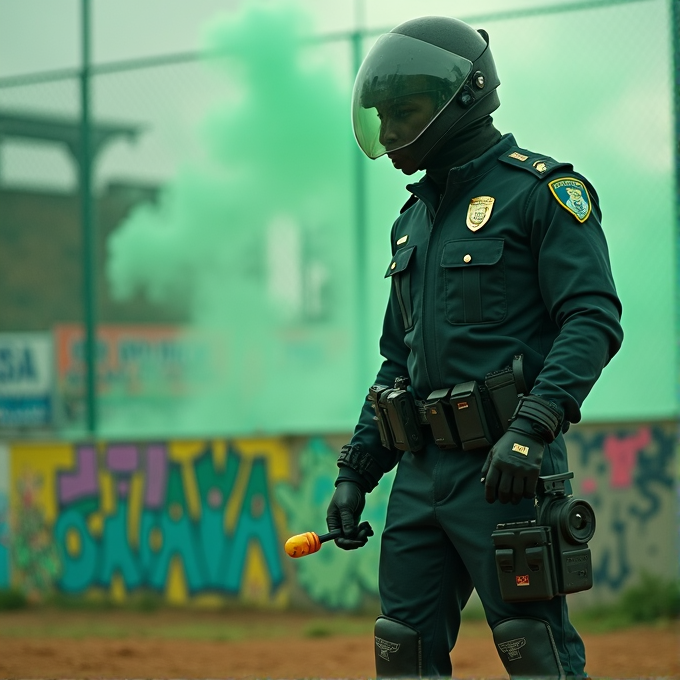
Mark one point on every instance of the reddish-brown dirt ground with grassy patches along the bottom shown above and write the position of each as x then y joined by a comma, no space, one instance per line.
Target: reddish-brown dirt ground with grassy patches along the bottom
174,644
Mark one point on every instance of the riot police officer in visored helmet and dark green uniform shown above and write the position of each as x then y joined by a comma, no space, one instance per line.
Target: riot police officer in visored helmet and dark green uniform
498,254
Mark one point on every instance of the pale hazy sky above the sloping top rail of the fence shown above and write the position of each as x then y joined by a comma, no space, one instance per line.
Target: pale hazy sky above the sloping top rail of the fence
37,35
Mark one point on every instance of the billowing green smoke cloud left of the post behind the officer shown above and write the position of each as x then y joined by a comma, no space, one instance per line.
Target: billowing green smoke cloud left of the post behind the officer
259,235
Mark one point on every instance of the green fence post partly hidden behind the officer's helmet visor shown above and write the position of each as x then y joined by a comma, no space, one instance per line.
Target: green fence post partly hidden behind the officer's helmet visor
361,293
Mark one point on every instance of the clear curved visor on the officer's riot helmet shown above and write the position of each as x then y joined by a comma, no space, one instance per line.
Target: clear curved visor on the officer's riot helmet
402,86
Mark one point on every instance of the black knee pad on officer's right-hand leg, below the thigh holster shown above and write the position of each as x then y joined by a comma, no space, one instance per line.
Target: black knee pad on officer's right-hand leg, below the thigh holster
527,648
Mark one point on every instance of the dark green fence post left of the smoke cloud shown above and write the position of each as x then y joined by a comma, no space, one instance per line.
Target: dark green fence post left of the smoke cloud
88,230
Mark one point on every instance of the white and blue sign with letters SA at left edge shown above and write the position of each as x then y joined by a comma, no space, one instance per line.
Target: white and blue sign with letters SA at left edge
26,379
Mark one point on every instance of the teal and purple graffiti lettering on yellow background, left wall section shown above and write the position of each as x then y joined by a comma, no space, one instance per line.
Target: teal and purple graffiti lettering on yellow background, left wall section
186,519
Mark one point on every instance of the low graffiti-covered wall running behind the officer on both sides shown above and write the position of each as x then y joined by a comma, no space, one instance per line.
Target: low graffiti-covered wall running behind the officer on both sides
204,522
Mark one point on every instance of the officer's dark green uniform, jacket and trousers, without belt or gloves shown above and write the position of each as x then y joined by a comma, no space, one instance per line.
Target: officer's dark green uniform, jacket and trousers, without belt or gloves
475,282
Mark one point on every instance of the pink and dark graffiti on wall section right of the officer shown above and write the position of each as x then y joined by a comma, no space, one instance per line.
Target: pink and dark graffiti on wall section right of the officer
628,475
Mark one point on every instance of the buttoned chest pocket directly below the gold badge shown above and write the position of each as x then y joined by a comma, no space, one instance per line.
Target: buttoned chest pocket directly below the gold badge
474,276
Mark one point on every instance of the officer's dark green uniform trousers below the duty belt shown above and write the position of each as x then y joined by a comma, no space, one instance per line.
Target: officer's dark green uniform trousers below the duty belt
437,547
